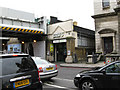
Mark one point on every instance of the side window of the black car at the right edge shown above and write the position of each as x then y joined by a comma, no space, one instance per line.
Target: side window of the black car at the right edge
114,68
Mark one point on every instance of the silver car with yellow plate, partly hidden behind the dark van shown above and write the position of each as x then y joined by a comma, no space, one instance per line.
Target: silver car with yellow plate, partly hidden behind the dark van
46,69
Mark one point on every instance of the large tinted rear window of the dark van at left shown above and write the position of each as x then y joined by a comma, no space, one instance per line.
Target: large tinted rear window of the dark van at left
13,65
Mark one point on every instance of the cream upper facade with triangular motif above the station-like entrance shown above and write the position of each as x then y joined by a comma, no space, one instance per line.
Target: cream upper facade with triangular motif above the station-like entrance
62,30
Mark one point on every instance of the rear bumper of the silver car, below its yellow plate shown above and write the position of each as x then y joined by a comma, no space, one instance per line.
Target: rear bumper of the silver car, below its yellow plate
48,74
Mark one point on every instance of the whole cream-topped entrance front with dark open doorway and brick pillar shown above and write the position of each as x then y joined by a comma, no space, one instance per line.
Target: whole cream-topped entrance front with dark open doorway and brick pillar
62,39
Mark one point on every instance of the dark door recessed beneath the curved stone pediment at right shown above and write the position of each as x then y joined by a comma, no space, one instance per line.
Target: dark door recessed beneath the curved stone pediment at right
108,44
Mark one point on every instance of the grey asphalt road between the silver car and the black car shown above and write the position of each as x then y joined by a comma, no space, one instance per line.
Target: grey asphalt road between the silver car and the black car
64,80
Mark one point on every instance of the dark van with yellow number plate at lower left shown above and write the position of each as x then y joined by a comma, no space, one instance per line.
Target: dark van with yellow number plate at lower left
18,71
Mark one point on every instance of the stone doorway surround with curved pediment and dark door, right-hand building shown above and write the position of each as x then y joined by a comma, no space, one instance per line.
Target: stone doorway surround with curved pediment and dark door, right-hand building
108,40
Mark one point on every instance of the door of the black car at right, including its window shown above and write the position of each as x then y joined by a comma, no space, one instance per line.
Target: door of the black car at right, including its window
112,76
